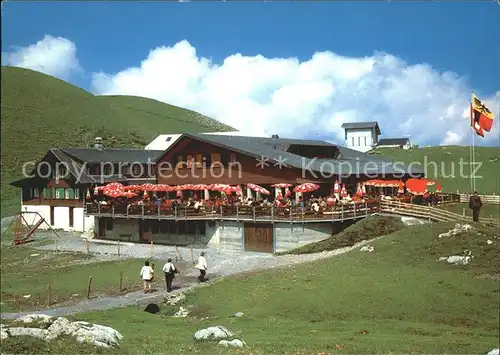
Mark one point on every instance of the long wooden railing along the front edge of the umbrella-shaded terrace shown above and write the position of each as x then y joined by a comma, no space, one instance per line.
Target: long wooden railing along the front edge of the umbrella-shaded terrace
244,213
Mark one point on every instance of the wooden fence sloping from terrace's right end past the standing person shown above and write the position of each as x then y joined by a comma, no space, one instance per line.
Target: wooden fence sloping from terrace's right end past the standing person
430,213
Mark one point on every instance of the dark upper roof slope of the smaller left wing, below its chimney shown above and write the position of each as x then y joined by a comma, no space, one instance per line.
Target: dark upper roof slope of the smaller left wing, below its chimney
114,155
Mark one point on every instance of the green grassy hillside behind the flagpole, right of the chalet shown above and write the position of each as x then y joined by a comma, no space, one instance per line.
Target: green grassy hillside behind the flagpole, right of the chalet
449,158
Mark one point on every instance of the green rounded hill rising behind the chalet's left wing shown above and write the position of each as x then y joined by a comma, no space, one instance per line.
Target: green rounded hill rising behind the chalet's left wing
40,112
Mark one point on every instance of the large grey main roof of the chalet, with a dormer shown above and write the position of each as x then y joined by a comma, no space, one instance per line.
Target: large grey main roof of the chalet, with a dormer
349,160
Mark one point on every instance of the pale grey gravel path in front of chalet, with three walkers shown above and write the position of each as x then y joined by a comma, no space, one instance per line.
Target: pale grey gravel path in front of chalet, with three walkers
220,263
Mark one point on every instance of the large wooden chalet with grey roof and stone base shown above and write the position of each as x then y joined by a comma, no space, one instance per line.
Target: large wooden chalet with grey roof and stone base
205,159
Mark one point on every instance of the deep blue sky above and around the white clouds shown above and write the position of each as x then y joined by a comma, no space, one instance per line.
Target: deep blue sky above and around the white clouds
462,38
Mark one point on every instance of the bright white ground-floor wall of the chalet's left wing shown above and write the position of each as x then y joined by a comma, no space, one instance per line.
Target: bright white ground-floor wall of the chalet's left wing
61,218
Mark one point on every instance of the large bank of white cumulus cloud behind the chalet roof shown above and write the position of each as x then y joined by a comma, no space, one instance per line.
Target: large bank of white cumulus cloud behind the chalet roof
262,95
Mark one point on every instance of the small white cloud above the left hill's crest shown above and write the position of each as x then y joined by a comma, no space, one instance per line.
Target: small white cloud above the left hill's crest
54,56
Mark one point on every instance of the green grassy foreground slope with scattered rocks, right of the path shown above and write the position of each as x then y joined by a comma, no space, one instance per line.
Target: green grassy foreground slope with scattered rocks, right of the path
397,299
